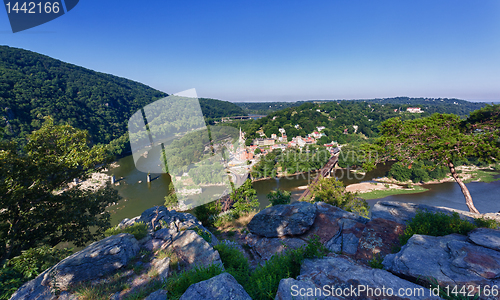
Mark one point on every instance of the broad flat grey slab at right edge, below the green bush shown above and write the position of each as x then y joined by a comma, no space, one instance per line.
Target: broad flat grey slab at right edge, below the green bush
452,260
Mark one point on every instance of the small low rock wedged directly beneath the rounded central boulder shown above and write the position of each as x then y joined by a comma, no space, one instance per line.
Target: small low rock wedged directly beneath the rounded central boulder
264,247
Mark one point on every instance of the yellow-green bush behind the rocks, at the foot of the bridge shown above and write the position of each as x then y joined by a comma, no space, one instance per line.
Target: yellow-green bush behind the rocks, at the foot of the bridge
332,191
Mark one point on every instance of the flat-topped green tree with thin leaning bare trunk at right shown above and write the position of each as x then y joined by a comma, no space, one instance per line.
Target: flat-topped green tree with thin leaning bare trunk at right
439,138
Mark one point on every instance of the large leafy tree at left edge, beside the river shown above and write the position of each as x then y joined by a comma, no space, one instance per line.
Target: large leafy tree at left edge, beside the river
36,207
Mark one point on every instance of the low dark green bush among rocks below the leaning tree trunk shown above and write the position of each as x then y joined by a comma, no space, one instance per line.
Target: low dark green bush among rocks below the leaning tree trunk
435,224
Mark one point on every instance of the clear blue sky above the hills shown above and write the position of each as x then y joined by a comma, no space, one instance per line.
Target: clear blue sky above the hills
242,50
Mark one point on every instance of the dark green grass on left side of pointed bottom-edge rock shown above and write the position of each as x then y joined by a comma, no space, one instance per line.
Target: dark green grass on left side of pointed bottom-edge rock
177,284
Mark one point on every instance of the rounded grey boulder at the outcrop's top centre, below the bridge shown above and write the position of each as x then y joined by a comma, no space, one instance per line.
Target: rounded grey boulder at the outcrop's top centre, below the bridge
281,220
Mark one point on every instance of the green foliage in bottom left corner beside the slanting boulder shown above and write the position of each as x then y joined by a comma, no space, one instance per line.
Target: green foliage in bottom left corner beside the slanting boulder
27,266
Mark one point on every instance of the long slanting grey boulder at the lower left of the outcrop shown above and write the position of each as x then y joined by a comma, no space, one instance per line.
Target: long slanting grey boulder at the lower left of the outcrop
94,262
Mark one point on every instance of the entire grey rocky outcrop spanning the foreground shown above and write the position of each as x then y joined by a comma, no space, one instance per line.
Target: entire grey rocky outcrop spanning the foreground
354,241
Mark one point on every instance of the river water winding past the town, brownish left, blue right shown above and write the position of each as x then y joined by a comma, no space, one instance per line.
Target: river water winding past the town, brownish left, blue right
138,197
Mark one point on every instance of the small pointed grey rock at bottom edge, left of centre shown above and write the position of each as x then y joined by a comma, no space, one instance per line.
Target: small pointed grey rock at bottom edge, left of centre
220,287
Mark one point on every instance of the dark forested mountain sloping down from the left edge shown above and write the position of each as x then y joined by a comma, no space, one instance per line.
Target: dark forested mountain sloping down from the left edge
33,86
